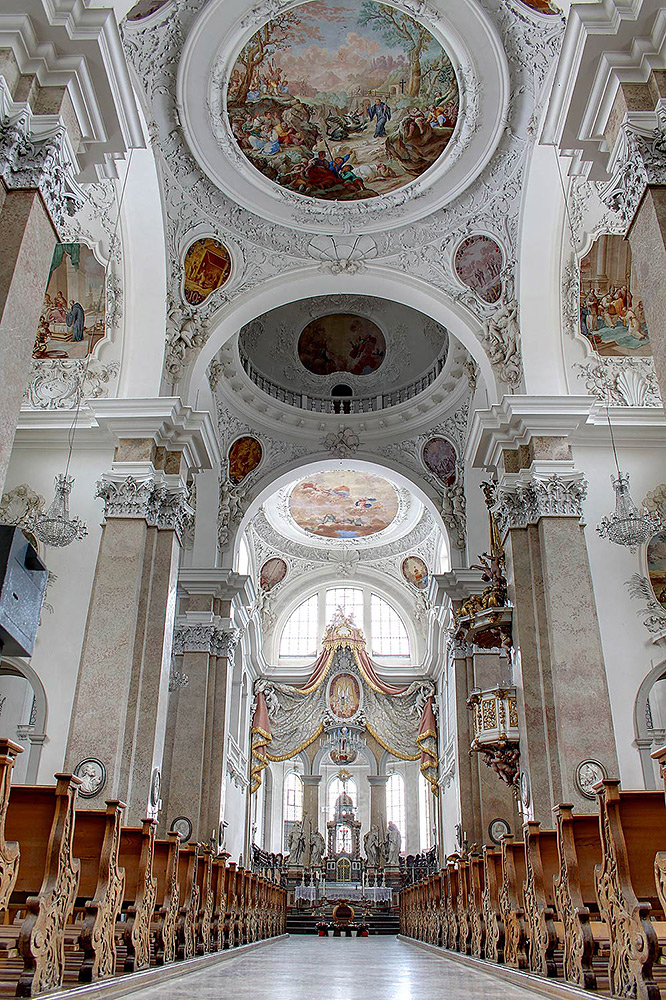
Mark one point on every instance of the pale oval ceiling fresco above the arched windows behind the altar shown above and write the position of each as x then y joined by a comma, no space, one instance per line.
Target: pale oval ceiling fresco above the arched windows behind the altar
345,504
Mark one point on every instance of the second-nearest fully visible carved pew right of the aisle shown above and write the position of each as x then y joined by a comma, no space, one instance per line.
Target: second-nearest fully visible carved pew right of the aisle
579,851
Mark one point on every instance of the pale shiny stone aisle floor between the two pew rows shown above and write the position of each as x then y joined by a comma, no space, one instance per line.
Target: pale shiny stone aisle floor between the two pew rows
310,968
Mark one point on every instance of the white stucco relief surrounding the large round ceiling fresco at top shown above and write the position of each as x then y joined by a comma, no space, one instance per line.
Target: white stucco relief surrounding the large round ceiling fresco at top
264,249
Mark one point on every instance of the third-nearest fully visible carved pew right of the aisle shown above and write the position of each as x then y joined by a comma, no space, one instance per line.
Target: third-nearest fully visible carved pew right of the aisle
542,865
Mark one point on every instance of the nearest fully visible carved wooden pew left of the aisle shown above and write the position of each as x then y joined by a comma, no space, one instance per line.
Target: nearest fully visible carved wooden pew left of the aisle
41,818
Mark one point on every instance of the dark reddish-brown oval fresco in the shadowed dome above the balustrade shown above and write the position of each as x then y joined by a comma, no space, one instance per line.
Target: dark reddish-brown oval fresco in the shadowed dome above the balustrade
341,342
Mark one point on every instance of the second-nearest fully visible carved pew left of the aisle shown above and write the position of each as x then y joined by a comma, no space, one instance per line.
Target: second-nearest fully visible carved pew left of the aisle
101,887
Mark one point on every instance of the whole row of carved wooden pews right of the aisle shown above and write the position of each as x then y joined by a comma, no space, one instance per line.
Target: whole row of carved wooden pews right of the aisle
583,902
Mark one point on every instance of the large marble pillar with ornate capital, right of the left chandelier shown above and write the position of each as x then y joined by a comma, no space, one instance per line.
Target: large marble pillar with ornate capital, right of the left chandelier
120,703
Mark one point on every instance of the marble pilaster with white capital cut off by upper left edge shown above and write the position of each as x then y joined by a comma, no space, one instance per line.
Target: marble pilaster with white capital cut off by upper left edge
36,162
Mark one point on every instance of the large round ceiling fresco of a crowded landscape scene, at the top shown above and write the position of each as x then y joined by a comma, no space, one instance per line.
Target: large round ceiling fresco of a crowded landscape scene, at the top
343,100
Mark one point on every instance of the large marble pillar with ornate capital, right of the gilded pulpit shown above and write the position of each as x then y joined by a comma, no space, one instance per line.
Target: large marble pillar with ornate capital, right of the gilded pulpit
563,701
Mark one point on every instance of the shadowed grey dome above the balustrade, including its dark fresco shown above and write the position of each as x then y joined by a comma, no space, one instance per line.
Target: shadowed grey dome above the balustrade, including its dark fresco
366,343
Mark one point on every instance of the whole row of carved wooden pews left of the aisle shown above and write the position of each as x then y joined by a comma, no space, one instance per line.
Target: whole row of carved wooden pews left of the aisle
85,899
